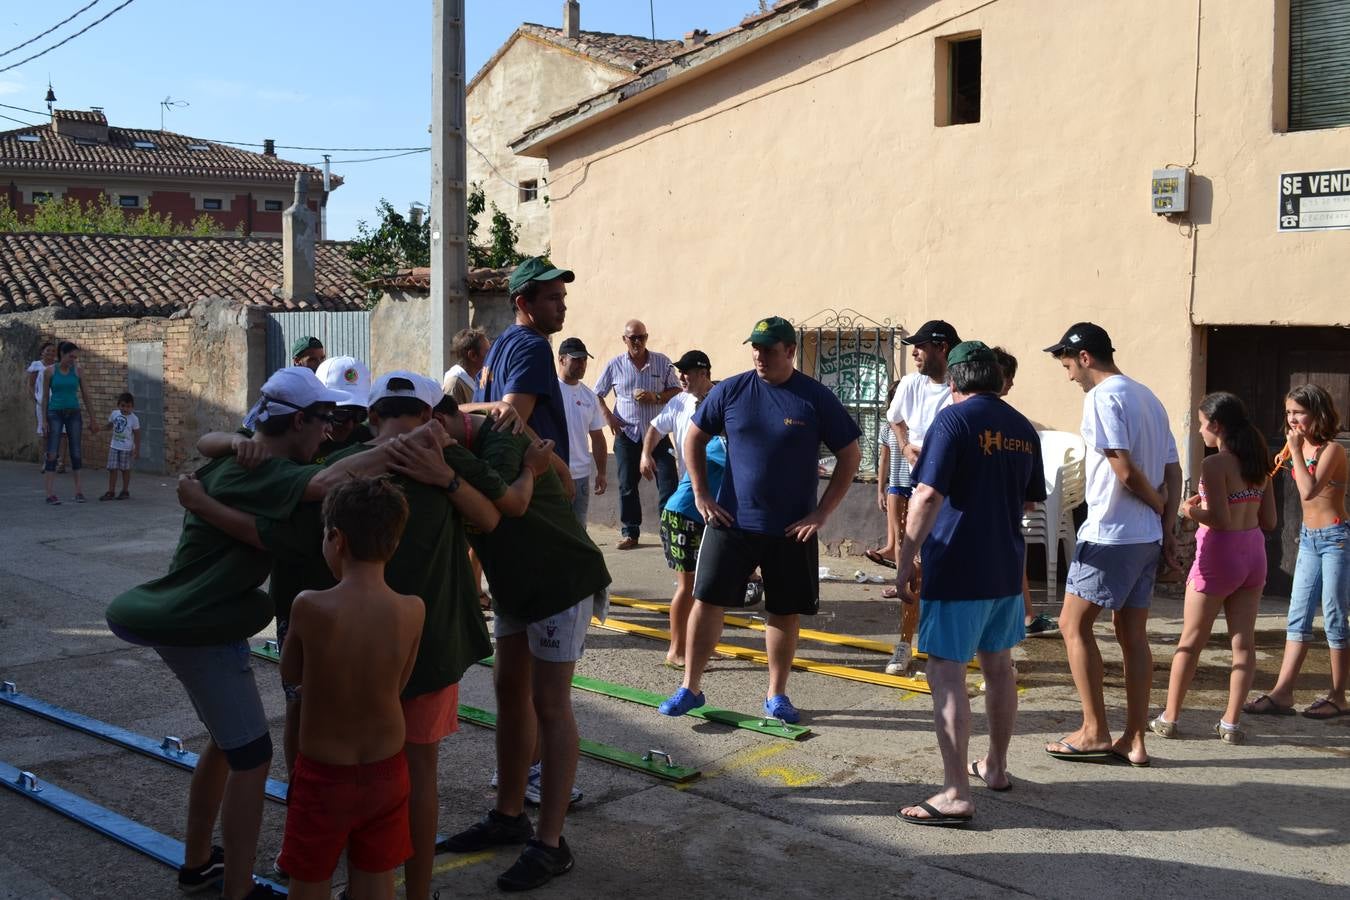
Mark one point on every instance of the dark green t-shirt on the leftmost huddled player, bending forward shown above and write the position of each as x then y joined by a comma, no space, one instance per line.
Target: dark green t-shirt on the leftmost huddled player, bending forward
210,594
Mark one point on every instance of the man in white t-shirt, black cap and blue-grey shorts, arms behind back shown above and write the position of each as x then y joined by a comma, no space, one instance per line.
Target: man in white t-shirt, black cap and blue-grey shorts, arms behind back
1133,488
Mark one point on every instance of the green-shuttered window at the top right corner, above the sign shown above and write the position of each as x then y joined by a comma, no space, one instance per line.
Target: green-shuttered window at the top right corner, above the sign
1320,64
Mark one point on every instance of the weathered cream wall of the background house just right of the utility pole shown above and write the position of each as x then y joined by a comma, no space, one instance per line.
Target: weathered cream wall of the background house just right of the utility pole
529,82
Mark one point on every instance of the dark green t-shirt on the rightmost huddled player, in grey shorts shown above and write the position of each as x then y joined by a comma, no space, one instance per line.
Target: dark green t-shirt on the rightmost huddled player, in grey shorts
543,562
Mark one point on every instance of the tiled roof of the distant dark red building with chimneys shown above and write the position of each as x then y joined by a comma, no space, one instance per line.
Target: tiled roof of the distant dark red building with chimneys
172,157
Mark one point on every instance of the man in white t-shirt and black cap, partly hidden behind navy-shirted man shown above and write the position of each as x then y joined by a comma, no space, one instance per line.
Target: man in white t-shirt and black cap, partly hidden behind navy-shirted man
919,399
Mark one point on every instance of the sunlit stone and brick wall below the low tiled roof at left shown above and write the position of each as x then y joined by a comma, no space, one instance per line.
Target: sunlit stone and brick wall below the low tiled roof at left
213,362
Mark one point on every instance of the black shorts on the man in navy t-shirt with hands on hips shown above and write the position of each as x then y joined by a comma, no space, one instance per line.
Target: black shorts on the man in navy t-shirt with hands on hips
792,571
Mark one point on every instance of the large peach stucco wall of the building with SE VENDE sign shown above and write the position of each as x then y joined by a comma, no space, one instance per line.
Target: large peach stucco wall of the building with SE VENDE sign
811,176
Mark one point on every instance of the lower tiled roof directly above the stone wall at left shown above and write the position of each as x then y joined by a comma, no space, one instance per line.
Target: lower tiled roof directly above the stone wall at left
105,276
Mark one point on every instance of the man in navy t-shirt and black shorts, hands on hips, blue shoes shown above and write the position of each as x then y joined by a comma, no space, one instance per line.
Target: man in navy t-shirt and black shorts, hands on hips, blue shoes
766,513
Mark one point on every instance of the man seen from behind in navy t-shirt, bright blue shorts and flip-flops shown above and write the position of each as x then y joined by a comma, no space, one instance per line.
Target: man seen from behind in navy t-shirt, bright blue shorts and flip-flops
979,469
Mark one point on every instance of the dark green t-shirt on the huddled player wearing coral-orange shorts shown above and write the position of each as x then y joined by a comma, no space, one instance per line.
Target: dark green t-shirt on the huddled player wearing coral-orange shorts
433,563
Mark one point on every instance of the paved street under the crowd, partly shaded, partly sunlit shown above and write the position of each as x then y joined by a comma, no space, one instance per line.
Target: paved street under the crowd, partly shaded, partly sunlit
767,818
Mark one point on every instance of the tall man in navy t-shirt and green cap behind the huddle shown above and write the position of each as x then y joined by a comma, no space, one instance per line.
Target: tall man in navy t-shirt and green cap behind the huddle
519,369
